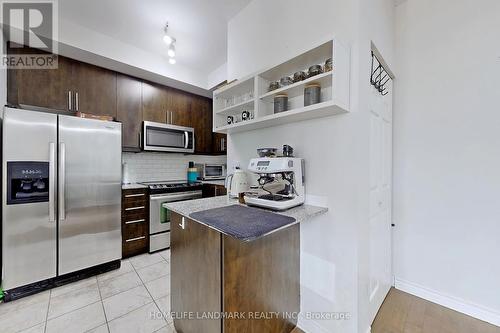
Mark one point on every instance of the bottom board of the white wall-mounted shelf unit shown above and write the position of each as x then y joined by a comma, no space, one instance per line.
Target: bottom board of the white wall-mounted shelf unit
319,110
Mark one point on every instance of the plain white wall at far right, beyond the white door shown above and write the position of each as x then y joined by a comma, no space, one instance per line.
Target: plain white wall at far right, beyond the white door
447,153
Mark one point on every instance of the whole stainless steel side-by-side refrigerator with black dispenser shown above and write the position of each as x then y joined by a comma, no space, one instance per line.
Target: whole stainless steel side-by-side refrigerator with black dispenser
61,195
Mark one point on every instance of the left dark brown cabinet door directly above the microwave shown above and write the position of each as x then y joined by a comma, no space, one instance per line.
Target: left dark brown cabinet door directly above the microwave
154,103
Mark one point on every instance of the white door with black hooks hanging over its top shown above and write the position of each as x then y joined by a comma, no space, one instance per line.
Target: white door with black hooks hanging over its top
380,198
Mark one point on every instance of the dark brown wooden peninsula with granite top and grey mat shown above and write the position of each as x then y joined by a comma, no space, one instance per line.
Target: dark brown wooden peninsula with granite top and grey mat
224,279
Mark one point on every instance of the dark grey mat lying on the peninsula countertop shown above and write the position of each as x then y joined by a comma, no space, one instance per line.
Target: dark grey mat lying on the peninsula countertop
241,222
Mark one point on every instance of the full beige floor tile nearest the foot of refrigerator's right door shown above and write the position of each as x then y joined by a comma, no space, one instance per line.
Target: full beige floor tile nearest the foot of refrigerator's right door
73,300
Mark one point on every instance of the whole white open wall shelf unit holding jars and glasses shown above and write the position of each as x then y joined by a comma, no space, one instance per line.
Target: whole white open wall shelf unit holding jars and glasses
335,91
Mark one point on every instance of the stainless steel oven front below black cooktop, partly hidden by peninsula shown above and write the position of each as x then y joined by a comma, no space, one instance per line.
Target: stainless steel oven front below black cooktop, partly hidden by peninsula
159,217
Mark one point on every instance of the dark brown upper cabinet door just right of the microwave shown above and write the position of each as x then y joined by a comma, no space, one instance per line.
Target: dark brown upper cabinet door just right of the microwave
201,112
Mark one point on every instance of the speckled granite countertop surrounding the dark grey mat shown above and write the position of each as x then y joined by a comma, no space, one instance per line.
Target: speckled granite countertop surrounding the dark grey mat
186,208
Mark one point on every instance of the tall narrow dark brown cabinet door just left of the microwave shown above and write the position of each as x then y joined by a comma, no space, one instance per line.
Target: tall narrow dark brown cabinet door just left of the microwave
129,111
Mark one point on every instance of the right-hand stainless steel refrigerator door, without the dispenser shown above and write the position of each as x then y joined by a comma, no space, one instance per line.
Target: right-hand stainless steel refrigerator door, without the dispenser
89,193
